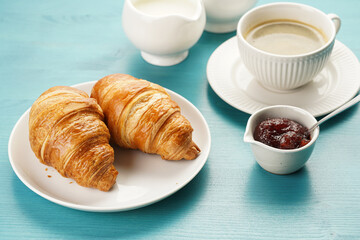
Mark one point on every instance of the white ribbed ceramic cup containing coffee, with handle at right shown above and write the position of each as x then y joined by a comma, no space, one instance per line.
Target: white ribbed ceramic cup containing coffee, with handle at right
286,72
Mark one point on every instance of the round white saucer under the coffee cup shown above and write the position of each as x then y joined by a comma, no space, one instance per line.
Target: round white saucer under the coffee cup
336,84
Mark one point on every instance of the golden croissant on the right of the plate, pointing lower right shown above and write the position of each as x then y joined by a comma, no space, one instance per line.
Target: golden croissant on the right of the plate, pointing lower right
141,115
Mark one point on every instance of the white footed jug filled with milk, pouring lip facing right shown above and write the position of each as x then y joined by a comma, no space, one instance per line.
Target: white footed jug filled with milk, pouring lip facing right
163,30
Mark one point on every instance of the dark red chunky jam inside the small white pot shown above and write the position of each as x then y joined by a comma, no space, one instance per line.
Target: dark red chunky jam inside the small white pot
282,133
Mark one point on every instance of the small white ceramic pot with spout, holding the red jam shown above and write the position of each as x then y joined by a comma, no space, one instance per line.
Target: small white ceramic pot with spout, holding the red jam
281,161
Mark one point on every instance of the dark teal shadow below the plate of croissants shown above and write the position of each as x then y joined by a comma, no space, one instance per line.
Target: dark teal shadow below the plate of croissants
58,221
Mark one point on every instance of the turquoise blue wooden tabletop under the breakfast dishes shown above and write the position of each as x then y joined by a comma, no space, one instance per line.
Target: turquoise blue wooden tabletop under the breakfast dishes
48,43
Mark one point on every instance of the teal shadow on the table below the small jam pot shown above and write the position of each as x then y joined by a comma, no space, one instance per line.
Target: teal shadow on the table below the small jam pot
266,189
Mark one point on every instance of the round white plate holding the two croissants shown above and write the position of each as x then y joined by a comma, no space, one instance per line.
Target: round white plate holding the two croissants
143,179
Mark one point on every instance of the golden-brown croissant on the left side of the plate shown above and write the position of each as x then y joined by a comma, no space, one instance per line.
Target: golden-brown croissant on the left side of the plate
67,132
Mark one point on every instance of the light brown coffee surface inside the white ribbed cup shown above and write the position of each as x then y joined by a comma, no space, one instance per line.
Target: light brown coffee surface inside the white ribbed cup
286,37
